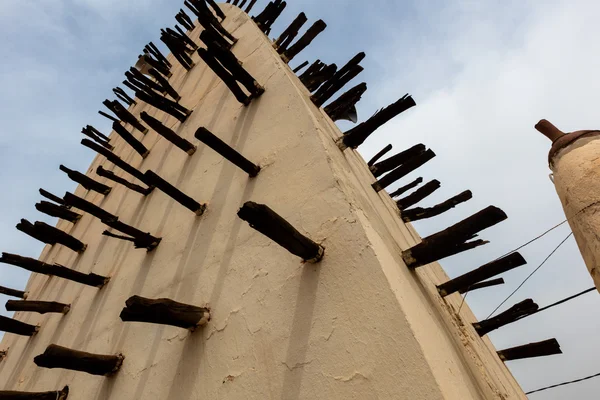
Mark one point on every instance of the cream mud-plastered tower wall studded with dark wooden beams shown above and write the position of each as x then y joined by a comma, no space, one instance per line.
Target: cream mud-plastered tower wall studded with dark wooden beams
358,325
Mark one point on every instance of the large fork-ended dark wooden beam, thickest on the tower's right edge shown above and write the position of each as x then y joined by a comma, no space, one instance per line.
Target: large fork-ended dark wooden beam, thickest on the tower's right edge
453,240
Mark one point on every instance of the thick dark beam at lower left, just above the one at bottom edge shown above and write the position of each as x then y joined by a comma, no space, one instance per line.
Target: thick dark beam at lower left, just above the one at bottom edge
65,358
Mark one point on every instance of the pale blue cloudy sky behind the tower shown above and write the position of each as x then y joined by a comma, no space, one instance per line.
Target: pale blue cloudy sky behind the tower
482,73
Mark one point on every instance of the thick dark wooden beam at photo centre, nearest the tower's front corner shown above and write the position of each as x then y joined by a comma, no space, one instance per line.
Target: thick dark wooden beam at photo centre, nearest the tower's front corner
270,224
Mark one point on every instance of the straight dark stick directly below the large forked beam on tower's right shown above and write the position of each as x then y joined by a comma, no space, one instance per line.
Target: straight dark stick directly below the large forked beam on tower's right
482,273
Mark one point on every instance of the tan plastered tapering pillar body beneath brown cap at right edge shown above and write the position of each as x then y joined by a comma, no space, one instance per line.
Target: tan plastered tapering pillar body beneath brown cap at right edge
576,177
